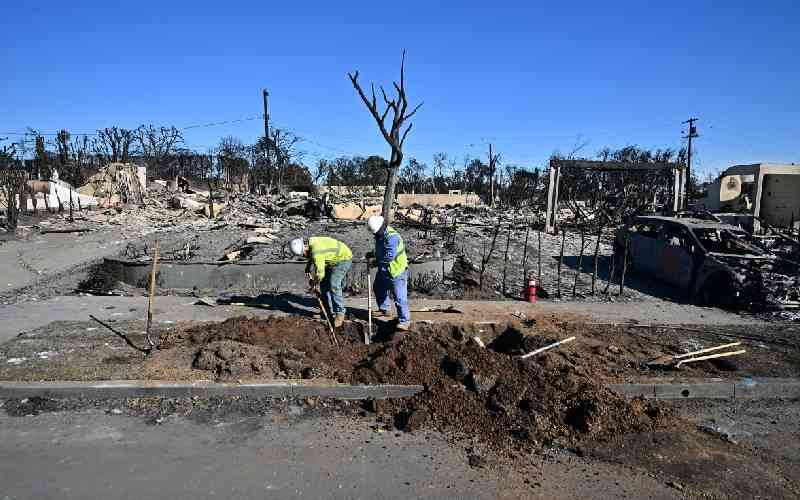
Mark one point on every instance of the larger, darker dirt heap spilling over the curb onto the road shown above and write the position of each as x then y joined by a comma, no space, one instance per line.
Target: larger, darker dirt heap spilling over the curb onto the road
508,402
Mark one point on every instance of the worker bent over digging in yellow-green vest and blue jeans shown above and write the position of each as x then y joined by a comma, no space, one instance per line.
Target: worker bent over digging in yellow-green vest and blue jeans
331,260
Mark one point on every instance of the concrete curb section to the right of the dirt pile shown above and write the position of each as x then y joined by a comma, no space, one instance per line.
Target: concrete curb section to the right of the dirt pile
747,388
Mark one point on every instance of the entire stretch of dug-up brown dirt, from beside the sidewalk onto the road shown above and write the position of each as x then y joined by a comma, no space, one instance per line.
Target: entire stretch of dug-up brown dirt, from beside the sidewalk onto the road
472,392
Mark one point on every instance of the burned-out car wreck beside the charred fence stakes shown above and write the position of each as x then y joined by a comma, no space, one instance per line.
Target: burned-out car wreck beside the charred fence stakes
715,263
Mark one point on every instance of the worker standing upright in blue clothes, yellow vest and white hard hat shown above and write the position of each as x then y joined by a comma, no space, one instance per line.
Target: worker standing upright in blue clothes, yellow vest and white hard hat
392,275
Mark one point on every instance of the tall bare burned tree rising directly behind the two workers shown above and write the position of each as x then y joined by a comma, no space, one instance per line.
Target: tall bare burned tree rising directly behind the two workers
395,136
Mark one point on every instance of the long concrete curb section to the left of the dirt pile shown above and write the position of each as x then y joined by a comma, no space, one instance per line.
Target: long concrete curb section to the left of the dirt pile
114,389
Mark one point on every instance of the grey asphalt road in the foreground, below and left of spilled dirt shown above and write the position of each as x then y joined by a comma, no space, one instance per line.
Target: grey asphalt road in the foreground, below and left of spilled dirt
94,454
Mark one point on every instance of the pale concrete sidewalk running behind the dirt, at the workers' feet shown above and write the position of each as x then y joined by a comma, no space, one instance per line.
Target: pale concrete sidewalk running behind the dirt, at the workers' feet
23,317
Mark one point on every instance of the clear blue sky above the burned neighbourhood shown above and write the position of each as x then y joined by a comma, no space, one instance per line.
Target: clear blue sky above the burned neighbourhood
531,79
